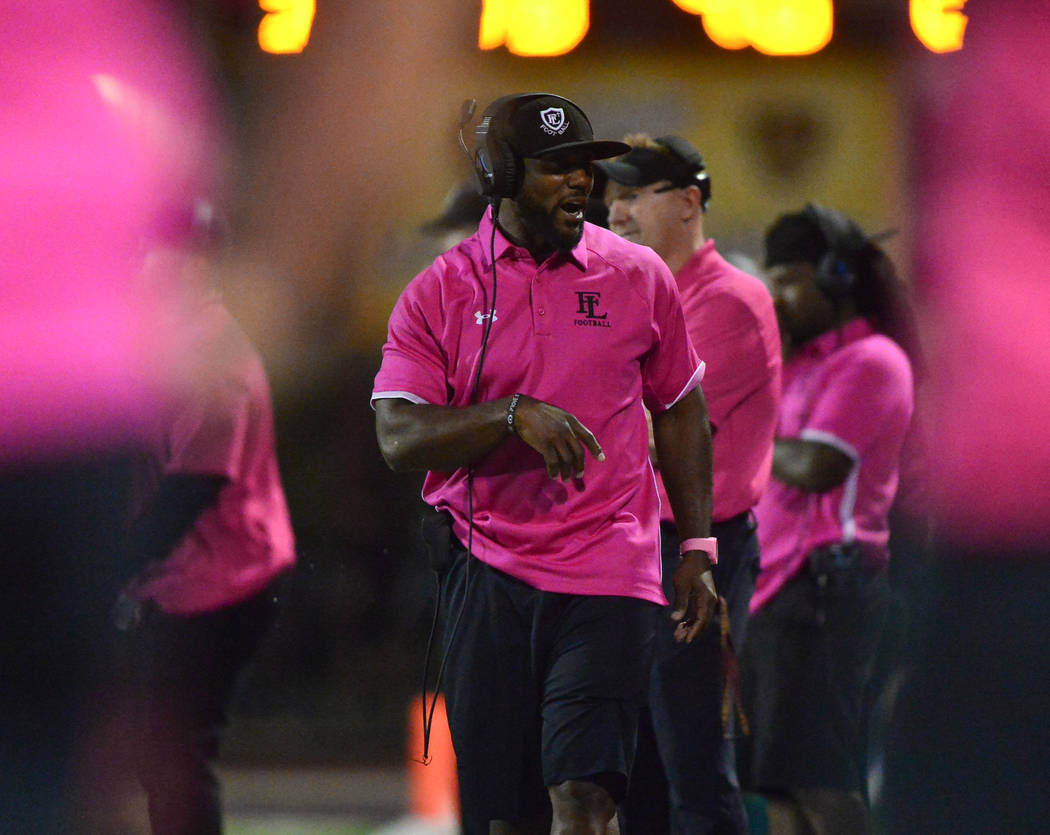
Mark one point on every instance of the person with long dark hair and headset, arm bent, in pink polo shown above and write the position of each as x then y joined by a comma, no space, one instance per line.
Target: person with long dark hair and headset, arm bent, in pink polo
822,597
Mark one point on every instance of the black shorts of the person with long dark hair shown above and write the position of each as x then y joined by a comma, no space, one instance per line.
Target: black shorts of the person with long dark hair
805,669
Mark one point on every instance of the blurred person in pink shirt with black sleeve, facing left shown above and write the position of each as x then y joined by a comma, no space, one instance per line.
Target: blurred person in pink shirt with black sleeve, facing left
211,535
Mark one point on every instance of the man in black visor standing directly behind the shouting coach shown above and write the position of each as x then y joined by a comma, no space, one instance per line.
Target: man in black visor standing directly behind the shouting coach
685,779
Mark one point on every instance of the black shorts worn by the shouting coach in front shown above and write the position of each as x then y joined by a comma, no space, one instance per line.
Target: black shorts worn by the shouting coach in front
541,688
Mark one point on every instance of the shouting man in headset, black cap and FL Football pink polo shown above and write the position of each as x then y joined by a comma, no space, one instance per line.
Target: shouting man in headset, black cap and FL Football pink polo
520,351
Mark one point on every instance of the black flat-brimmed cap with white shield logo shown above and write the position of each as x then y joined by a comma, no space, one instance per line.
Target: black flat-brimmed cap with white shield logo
550,123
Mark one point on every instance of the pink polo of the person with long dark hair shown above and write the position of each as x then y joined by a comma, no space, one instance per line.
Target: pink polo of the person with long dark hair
851,389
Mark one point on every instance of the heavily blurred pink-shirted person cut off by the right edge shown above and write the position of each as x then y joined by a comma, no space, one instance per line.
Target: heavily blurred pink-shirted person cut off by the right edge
969,750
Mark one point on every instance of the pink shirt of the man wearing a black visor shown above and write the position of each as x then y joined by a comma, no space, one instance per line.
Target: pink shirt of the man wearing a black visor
734,328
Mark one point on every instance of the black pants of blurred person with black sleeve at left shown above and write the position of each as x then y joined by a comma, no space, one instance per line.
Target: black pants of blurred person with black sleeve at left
186,671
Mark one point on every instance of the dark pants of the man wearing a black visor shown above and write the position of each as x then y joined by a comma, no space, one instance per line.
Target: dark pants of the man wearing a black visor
685,780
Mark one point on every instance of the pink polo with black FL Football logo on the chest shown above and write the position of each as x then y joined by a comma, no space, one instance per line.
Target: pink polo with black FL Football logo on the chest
597,332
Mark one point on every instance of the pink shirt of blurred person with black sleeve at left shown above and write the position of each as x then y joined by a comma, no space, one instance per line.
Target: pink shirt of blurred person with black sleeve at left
221,426
